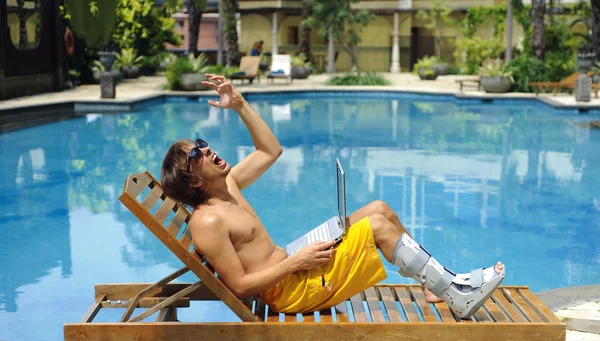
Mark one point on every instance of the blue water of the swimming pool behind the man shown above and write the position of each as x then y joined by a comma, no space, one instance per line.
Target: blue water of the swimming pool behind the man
473,182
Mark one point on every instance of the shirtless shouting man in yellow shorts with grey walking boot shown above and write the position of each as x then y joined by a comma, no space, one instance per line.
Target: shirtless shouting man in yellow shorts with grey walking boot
228,232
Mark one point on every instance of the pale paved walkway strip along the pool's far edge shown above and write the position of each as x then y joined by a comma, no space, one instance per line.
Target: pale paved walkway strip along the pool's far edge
143,87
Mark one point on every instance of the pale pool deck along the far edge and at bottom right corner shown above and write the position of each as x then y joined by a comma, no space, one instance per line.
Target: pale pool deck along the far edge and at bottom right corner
579,307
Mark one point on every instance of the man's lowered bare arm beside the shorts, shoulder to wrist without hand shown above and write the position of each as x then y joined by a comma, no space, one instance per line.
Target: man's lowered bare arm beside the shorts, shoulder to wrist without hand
212,240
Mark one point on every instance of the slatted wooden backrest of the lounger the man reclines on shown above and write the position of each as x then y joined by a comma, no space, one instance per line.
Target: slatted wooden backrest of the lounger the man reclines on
141,205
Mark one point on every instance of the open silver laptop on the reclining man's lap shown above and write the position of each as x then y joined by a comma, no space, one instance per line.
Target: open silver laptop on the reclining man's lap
333,229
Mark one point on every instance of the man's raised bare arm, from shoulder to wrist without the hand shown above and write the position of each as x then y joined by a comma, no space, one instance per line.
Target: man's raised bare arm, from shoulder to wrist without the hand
267,150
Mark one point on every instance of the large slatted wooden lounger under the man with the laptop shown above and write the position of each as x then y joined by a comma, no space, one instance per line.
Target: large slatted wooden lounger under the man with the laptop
383,312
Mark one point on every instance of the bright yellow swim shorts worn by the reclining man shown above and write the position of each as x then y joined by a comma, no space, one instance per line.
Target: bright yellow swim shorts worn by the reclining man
354,267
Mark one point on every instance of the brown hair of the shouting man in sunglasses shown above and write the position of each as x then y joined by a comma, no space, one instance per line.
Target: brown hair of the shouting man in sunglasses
177,182
